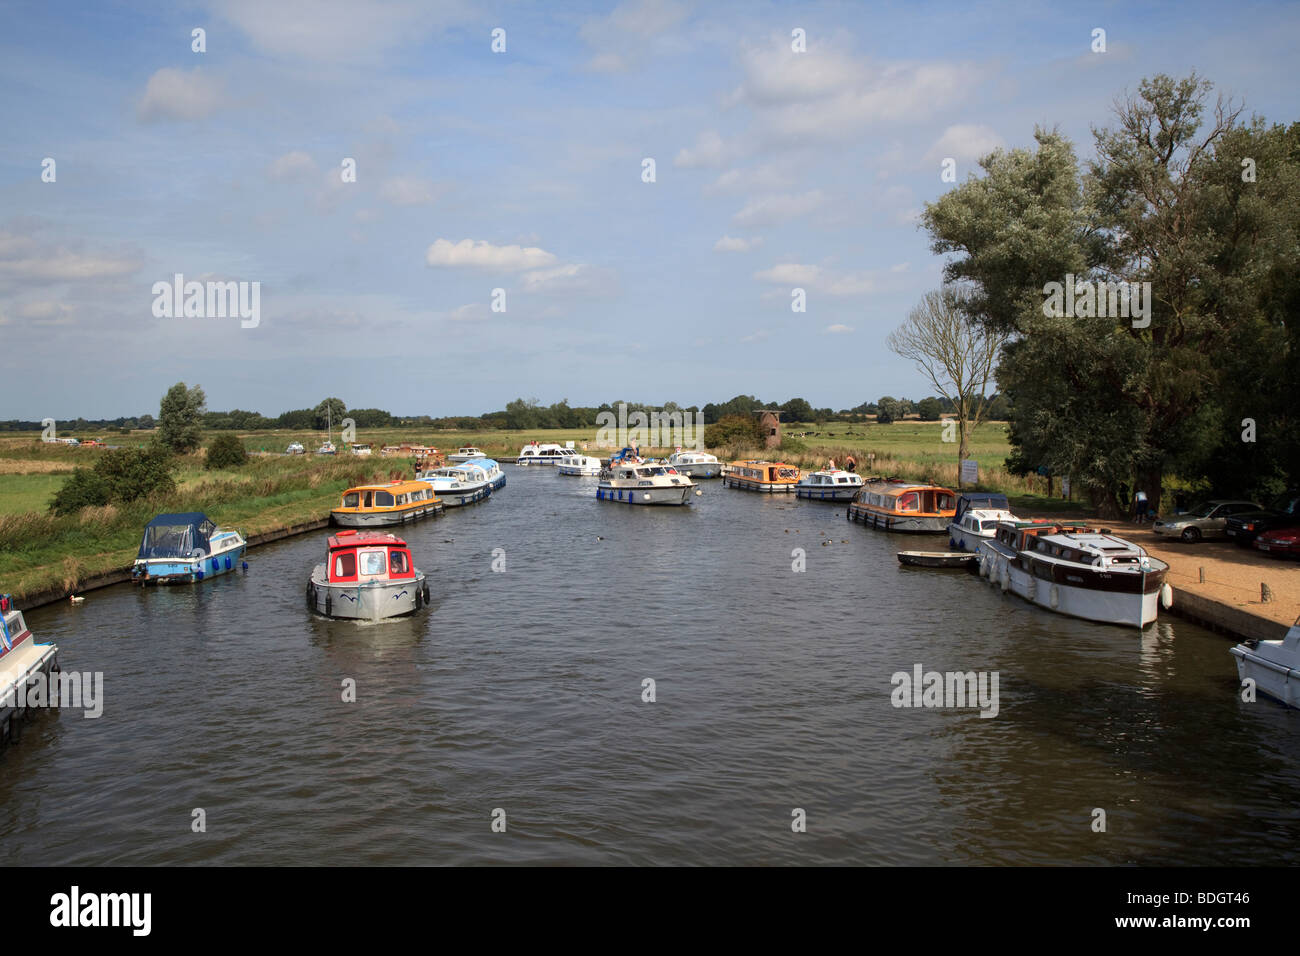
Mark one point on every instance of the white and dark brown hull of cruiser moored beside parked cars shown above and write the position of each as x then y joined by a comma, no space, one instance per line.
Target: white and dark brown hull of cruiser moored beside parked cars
1128,600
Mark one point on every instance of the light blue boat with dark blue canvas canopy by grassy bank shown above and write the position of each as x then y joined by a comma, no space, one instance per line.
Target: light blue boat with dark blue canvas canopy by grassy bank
184,548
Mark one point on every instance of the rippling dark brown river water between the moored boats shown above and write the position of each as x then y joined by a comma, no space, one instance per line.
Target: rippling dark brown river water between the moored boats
523,691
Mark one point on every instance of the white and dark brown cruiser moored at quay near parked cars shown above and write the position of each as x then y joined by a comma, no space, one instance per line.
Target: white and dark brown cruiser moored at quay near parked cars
1077,570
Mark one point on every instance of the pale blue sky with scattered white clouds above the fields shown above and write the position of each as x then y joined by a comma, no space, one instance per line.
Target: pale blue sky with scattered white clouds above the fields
523,171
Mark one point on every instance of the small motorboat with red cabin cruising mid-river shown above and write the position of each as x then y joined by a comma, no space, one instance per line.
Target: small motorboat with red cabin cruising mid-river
367,577
